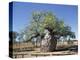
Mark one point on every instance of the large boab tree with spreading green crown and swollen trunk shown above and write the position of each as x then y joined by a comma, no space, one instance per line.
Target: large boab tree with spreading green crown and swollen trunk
57,29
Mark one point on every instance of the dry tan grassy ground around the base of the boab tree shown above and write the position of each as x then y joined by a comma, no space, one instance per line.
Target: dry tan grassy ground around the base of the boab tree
35,52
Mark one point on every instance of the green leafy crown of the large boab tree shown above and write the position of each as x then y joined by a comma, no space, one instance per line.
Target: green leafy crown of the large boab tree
41,20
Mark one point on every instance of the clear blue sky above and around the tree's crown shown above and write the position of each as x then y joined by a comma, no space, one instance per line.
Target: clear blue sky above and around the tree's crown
22,14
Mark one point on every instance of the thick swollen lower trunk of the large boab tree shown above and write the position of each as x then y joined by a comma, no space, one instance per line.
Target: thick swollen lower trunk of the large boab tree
49,45
